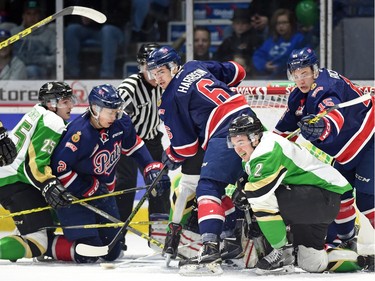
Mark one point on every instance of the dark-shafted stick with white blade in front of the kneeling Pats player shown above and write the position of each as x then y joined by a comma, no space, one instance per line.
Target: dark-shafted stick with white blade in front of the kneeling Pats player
97,251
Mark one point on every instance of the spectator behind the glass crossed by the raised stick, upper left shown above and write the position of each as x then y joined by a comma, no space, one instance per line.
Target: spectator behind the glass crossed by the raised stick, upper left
38,49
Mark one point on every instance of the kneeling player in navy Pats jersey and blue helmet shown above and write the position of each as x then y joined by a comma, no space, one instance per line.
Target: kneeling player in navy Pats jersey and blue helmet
85,162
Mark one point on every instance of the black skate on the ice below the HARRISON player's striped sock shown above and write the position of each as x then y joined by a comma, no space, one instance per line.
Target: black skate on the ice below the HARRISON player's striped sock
208,261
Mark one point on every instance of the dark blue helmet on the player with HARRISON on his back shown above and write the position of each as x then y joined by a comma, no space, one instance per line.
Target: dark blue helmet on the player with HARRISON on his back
164,55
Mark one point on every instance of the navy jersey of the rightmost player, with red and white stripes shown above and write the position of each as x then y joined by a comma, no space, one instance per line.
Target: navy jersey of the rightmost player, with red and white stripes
351,127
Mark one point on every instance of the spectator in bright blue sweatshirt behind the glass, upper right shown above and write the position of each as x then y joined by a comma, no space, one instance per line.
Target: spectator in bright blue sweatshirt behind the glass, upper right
270,59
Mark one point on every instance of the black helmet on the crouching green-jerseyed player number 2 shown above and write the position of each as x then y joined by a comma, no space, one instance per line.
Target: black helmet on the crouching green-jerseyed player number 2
245,125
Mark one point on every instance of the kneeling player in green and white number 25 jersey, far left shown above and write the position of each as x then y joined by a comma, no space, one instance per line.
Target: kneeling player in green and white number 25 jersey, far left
28,182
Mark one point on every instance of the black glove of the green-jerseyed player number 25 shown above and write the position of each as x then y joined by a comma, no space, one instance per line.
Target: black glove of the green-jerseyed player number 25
55,194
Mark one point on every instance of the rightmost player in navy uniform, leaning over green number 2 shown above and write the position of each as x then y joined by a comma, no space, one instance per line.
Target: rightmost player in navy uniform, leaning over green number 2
346,134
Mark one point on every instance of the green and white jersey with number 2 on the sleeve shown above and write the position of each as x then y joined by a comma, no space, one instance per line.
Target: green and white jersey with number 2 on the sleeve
277,160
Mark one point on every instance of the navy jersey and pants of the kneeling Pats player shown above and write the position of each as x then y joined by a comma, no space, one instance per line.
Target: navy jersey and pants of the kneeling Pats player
84,161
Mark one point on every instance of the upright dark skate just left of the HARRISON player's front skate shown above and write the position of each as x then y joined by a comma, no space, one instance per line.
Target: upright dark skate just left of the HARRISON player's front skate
171,242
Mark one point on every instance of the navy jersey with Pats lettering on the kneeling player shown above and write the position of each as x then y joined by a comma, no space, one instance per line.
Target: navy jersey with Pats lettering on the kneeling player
85,153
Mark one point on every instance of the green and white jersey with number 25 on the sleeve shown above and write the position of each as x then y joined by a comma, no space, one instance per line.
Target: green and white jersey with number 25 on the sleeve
35,136
